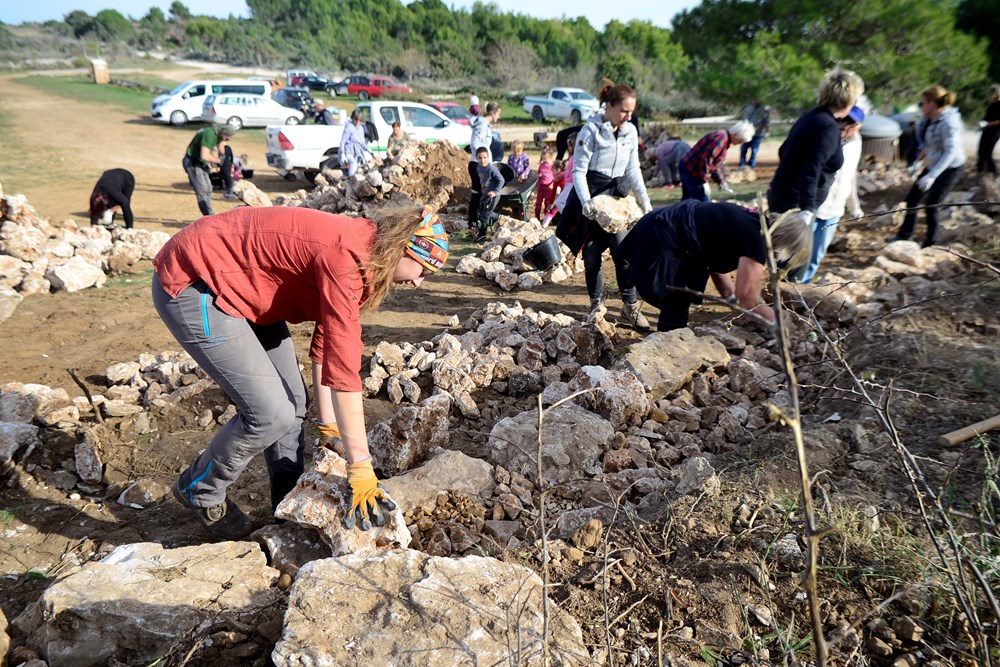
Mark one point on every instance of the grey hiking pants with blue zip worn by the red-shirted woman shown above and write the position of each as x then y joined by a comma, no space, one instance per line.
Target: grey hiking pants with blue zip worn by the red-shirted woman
256,366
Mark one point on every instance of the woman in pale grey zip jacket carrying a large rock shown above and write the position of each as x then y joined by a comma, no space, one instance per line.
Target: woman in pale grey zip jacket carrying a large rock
605,161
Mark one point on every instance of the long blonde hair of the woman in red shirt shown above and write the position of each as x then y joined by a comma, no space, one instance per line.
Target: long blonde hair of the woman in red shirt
393,228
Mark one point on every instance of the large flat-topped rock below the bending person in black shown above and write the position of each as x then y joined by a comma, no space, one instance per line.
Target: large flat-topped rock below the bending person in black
667,360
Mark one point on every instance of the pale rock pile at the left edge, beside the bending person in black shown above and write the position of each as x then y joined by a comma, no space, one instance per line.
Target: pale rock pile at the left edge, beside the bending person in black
36,256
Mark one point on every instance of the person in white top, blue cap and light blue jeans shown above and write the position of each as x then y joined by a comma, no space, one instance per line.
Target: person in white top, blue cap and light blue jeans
832,209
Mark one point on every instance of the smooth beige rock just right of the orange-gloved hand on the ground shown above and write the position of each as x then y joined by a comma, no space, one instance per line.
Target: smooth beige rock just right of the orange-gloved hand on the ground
446,472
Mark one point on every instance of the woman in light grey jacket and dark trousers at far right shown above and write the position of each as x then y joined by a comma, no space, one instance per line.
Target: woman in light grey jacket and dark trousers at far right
944,162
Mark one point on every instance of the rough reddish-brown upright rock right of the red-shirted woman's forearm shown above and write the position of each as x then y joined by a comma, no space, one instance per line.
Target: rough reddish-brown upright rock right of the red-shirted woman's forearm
403,442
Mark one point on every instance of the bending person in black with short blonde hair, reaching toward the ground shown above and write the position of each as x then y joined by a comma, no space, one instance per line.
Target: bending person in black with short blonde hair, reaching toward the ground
683,245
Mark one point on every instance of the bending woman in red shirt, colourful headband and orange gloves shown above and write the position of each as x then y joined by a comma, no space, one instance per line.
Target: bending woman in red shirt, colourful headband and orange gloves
227,286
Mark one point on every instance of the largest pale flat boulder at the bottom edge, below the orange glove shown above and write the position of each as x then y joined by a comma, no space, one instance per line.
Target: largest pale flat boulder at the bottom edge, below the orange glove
409,608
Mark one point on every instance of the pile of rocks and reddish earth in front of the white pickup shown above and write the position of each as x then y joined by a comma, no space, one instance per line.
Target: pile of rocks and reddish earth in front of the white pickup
420,173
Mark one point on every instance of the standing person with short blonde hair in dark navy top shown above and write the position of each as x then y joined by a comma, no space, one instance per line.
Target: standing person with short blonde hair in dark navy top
811,155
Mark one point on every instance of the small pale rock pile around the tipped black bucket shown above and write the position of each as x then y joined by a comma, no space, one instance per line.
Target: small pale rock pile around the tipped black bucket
502,258
